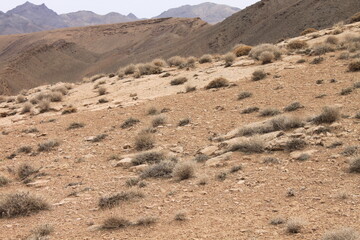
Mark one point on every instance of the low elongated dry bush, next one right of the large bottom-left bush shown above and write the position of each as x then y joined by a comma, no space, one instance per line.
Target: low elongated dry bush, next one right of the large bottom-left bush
117,199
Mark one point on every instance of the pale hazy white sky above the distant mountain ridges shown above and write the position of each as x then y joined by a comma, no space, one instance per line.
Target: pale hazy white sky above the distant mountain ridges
141,8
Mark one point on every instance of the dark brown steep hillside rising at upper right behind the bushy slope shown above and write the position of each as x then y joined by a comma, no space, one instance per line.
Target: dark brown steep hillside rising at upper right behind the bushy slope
270,21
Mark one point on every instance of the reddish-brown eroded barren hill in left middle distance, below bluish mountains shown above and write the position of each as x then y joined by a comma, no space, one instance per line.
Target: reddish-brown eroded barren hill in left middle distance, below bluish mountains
69,54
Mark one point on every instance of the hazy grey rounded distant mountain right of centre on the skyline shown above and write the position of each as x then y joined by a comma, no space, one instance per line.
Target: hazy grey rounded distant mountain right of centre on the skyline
209,12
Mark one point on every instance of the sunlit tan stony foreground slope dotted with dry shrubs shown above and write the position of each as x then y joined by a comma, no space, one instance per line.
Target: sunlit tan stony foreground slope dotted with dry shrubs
208,151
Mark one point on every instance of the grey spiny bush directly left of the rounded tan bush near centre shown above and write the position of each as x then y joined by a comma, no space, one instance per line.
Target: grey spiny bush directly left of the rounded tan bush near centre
163,169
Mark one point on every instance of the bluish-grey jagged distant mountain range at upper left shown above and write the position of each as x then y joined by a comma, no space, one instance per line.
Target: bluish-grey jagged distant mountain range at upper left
30,17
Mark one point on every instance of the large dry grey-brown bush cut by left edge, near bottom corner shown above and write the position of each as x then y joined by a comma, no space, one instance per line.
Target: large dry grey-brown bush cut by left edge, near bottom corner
21,204
